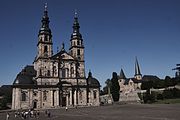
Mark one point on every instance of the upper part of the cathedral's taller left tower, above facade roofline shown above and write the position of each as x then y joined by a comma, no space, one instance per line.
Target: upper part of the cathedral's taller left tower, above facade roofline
44,38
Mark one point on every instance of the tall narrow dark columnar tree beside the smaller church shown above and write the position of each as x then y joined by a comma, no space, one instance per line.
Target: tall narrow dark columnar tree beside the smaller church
115,87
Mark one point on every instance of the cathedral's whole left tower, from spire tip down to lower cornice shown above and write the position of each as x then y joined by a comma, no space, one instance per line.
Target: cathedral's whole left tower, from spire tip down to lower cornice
42,62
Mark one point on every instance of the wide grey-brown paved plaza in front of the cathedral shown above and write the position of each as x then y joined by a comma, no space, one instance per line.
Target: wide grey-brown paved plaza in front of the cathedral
111,112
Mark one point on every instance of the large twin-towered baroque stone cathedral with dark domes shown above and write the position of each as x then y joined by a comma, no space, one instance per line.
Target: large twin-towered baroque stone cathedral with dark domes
56,80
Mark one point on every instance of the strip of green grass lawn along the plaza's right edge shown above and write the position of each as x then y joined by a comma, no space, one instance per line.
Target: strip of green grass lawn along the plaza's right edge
168,101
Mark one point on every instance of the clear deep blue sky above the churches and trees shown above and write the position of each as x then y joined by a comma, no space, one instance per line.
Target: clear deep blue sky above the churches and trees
114,32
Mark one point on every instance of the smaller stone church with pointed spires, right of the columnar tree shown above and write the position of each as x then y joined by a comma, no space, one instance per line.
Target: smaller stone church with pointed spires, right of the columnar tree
129,87
